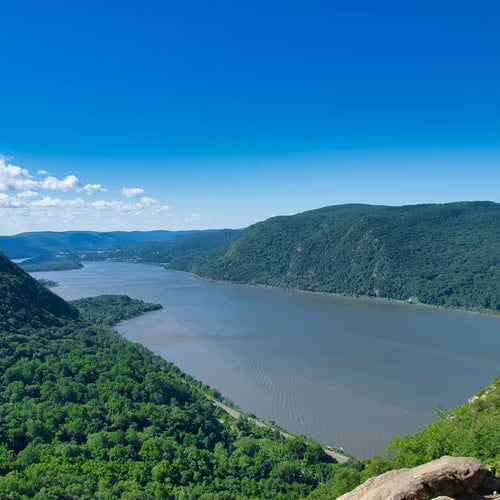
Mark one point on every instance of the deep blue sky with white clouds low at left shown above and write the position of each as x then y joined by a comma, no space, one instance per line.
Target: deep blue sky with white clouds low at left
220,114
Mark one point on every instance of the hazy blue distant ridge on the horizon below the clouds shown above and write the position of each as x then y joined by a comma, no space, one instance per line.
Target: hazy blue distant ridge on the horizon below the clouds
29,244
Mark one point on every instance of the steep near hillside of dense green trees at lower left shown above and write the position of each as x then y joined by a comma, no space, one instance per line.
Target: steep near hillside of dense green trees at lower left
85,414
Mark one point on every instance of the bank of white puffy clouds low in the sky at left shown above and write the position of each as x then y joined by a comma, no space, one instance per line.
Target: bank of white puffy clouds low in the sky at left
28,202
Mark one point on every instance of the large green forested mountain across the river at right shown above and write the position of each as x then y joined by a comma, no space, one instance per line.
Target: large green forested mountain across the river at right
446,255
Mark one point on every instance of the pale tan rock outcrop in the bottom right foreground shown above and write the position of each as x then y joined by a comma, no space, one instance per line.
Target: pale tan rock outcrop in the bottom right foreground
446,477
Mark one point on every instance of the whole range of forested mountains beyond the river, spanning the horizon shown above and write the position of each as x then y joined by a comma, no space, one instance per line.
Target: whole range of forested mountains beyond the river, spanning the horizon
441,254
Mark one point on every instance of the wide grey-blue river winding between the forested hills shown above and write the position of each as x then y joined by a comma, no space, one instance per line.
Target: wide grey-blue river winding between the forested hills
344,371
